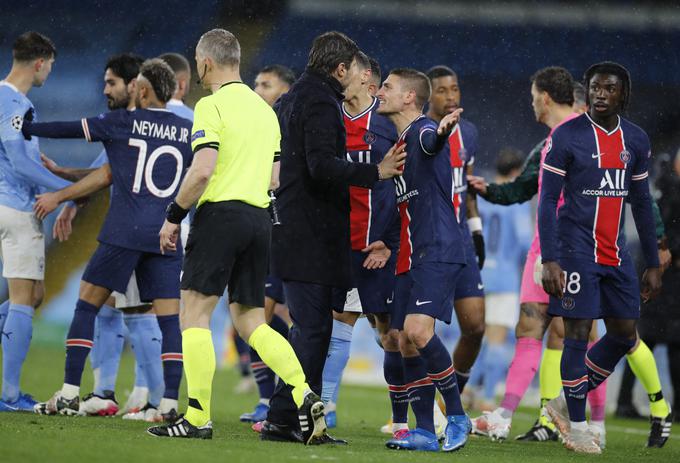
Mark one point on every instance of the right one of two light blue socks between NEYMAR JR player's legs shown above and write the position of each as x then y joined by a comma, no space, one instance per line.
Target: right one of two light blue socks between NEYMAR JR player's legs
146,340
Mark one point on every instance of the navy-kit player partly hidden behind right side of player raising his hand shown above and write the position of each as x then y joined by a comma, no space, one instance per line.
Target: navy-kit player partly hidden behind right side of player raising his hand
469,297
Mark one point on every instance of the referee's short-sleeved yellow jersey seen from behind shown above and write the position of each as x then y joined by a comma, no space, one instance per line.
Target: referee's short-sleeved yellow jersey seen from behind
244,130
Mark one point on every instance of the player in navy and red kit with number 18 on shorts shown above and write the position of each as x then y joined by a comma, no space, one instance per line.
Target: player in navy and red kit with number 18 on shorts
598,160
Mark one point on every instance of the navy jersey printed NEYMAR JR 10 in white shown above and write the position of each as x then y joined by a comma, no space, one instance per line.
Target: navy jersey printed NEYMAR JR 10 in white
149,151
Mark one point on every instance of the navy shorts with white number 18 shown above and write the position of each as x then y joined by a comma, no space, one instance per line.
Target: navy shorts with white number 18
597,291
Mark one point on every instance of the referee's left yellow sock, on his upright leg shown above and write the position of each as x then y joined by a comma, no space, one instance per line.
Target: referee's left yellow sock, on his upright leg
199,369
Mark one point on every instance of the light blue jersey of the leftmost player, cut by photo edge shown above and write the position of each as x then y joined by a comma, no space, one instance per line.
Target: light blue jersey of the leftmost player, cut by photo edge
22,175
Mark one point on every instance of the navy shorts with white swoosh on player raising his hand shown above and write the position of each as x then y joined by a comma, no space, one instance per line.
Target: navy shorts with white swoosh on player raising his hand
427,289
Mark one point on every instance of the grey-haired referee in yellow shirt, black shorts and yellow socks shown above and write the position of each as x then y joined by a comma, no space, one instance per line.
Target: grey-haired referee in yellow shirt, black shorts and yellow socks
235,138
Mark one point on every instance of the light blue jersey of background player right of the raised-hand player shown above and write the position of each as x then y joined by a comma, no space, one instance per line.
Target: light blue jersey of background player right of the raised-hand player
507,234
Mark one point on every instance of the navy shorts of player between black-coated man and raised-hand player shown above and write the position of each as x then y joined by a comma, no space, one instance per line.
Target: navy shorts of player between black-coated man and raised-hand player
375,286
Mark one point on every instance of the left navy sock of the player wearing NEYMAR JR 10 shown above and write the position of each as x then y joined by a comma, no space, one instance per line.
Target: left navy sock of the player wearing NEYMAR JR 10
79,341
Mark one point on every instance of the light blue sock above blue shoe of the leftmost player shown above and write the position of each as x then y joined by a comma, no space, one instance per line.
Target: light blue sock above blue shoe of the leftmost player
16,335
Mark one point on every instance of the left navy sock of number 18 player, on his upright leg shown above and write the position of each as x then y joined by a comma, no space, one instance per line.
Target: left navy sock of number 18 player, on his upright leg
575,378
